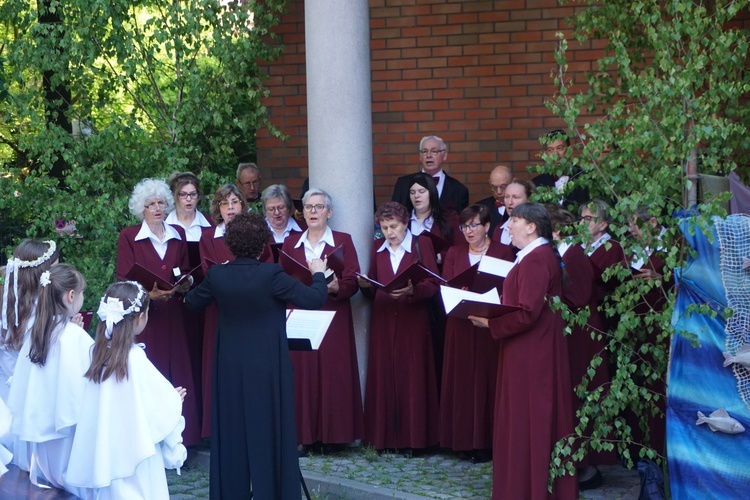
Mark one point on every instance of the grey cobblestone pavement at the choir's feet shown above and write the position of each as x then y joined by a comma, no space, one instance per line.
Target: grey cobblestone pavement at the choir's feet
362,473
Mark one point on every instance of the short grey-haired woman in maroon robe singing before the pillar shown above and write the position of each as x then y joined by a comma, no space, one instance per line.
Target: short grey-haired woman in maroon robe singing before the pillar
327,394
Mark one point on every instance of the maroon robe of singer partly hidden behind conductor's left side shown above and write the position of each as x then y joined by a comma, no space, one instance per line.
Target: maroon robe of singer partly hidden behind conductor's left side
216,250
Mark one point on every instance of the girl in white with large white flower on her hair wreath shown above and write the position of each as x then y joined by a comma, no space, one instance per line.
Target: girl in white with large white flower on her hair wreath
131,422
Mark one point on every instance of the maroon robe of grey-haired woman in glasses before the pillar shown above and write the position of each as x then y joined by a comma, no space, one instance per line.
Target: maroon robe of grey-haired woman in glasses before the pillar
327,393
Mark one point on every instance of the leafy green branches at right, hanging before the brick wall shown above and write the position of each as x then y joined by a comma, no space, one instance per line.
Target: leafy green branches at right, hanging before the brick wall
668,101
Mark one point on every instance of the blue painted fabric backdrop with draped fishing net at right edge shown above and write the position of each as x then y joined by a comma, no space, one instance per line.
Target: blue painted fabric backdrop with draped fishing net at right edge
702,463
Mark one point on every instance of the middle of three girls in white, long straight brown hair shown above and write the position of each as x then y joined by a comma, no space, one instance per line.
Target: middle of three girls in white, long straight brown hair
47,385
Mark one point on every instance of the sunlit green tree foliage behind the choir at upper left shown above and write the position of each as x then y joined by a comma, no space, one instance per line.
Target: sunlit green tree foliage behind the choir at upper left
155,86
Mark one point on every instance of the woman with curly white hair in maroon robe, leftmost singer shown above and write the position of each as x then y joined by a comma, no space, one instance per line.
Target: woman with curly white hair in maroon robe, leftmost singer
162,249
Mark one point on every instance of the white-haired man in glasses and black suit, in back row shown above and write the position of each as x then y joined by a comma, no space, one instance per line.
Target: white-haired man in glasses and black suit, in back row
451,193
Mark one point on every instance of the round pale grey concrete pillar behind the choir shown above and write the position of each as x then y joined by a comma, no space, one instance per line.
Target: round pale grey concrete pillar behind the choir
339,124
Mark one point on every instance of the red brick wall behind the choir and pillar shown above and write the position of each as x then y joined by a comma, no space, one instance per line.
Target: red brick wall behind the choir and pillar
476,73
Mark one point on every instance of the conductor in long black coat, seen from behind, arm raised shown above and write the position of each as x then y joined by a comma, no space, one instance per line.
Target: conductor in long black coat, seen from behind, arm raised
253,433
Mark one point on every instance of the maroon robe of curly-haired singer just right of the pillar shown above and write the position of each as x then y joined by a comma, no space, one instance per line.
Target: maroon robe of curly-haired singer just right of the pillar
401,409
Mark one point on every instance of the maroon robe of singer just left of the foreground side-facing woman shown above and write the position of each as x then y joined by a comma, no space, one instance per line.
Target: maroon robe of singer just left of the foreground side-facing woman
467,393
